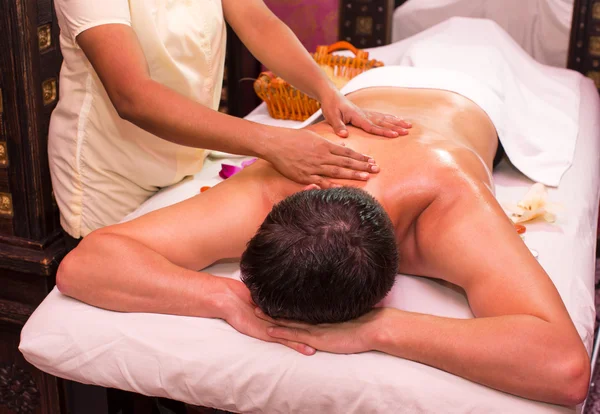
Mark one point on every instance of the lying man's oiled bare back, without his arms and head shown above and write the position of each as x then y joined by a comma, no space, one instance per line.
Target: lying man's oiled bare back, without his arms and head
450,135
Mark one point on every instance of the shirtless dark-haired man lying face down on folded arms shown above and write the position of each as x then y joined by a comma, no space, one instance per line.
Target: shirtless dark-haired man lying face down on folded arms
330,255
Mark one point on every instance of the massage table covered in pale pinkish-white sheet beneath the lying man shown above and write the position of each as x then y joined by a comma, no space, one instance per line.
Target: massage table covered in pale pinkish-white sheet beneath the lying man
206,362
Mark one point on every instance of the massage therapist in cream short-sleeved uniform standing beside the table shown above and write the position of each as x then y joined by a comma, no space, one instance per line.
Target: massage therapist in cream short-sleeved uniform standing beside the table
139,88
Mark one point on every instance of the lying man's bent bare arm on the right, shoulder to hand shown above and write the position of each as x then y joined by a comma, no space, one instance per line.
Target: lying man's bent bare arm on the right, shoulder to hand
522,340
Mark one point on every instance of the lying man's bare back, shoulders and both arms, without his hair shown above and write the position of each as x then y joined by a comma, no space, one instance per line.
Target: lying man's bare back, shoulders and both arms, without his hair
435,185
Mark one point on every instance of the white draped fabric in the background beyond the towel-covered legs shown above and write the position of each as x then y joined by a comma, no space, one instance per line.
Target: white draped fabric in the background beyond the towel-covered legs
541,27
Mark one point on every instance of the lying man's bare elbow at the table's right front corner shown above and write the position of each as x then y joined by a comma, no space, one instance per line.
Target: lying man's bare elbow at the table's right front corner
575,372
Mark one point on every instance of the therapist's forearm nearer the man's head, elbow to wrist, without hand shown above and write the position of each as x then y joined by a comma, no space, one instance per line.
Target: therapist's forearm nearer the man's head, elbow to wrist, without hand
175,118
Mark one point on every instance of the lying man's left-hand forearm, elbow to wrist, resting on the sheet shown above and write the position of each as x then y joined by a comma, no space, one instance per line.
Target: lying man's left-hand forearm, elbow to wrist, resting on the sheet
118,273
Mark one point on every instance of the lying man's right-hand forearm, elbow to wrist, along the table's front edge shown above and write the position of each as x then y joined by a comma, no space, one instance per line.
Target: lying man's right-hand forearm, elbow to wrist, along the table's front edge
518,354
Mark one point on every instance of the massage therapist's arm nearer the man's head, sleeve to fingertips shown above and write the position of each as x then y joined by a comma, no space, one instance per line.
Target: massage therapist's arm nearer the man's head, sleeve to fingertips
300,155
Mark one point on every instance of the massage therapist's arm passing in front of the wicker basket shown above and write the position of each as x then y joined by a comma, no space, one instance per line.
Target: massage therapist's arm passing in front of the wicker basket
276,46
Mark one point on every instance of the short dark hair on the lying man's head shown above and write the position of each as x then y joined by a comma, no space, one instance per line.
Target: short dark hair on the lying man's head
321,256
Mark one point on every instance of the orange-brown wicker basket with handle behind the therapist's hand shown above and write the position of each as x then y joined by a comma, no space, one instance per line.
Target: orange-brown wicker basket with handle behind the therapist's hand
285,102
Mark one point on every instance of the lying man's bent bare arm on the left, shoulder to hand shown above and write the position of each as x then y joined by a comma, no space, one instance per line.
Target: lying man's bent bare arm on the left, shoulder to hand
149,264
